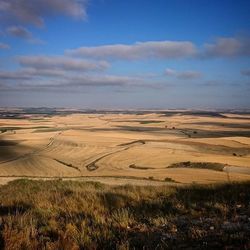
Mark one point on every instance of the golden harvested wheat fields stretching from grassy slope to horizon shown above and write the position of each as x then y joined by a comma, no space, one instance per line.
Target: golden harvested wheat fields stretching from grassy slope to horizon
138,147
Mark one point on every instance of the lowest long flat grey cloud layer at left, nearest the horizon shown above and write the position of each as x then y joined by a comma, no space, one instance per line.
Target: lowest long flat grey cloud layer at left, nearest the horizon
22,81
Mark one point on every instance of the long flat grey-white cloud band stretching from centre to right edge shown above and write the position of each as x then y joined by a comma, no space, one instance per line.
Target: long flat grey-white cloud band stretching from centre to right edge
222,47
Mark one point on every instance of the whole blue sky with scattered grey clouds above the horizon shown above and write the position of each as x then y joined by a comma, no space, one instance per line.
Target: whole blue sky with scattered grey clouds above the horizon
133,54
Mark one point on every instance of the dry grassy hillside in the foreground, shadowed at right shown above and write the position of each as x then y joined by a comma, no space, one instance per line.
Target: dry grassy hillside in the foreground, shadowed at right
81,215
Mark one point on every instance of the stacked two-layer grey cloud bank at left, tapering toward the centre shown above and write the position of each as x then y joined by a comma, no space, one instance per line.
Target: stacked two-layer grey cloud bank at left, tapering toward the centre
61,73
